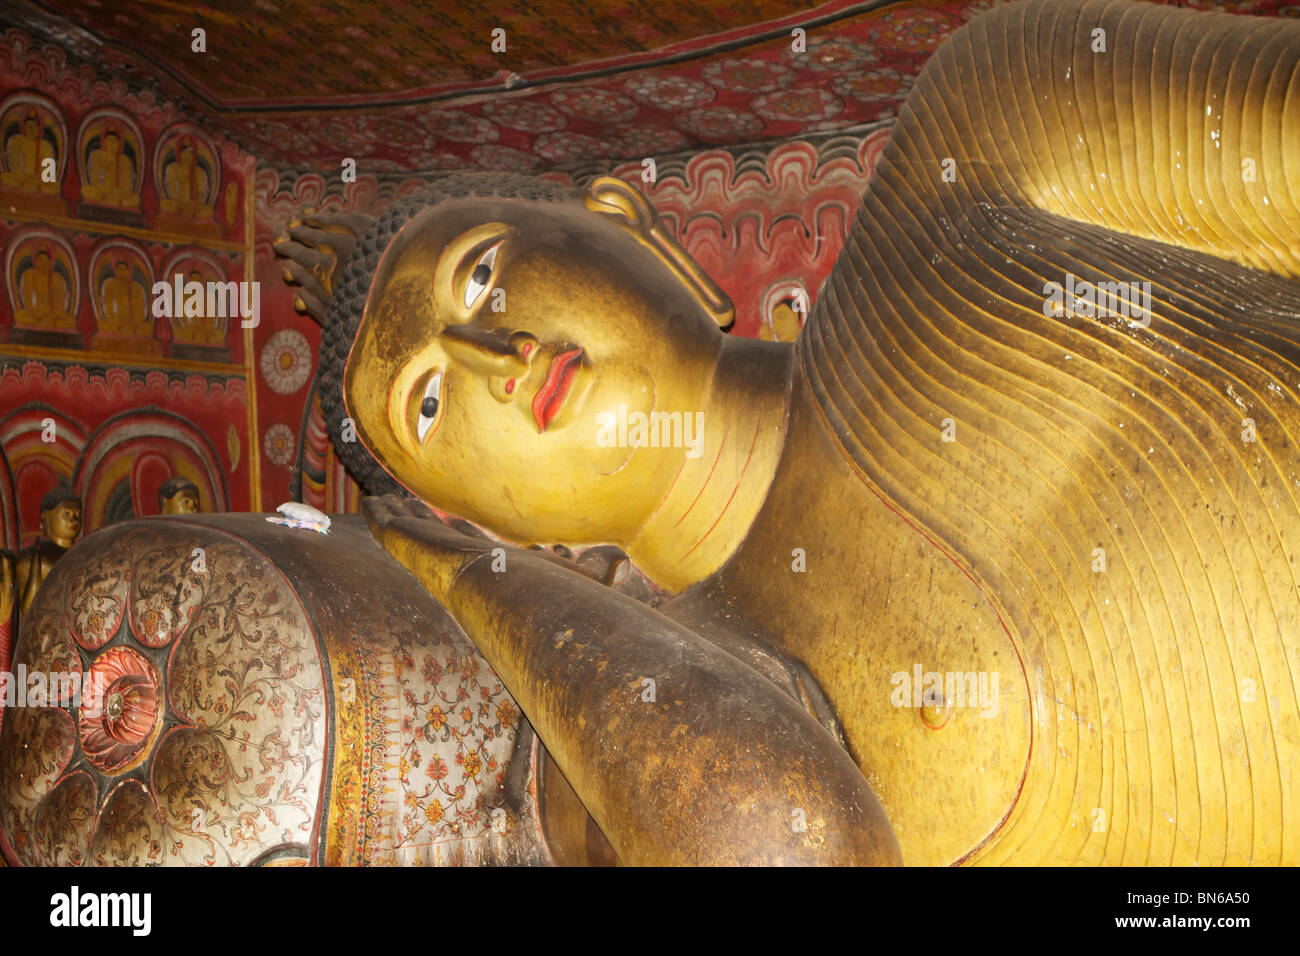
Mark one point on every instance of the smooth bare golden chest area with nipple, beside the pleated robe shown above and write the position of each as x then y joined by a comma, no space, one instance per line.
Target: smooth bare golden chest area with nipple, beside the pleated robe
834,577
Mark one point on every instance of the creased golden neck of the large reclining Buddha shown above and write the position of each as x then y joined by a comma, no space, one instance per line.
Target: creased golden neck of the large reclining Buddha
717,495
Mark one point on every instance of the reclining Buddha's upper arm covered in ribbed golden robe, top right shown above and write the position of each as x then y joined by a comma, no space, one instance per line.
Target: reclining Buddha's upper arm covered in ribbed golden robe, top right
1186,129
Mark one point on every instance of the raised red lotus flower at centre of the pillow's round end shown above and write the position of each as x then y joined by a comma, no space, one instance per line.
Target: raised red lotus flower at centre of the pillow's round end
119,715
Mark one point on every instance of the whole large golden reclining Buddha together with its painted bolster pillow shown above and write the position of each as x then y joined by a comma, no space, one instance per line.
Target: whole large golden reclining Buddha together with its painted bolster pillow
995,565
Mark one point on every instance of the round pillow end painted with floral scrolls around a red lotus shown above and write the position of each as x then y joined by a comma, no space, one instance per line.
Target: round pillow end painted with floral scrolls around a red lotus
226,656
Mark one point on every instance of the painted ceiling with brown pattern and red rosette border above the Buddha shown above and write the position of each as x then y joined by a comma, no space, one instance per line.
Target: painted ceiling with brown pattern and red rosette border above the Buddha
417,86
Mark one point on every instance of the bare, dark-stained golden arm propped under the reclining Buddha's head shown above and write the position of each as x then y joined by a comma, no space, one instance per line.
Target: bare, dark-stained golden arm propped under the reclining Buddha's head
612,687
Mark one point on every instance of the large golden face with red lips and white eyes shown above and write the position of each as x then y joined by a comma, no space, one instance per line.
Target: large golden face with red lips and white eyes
496,335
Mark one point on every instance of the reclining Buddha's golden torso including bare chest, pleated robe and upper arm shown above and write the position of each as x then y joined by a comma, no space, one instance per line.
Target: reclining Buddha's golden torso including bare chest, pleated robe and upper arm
1120,491
